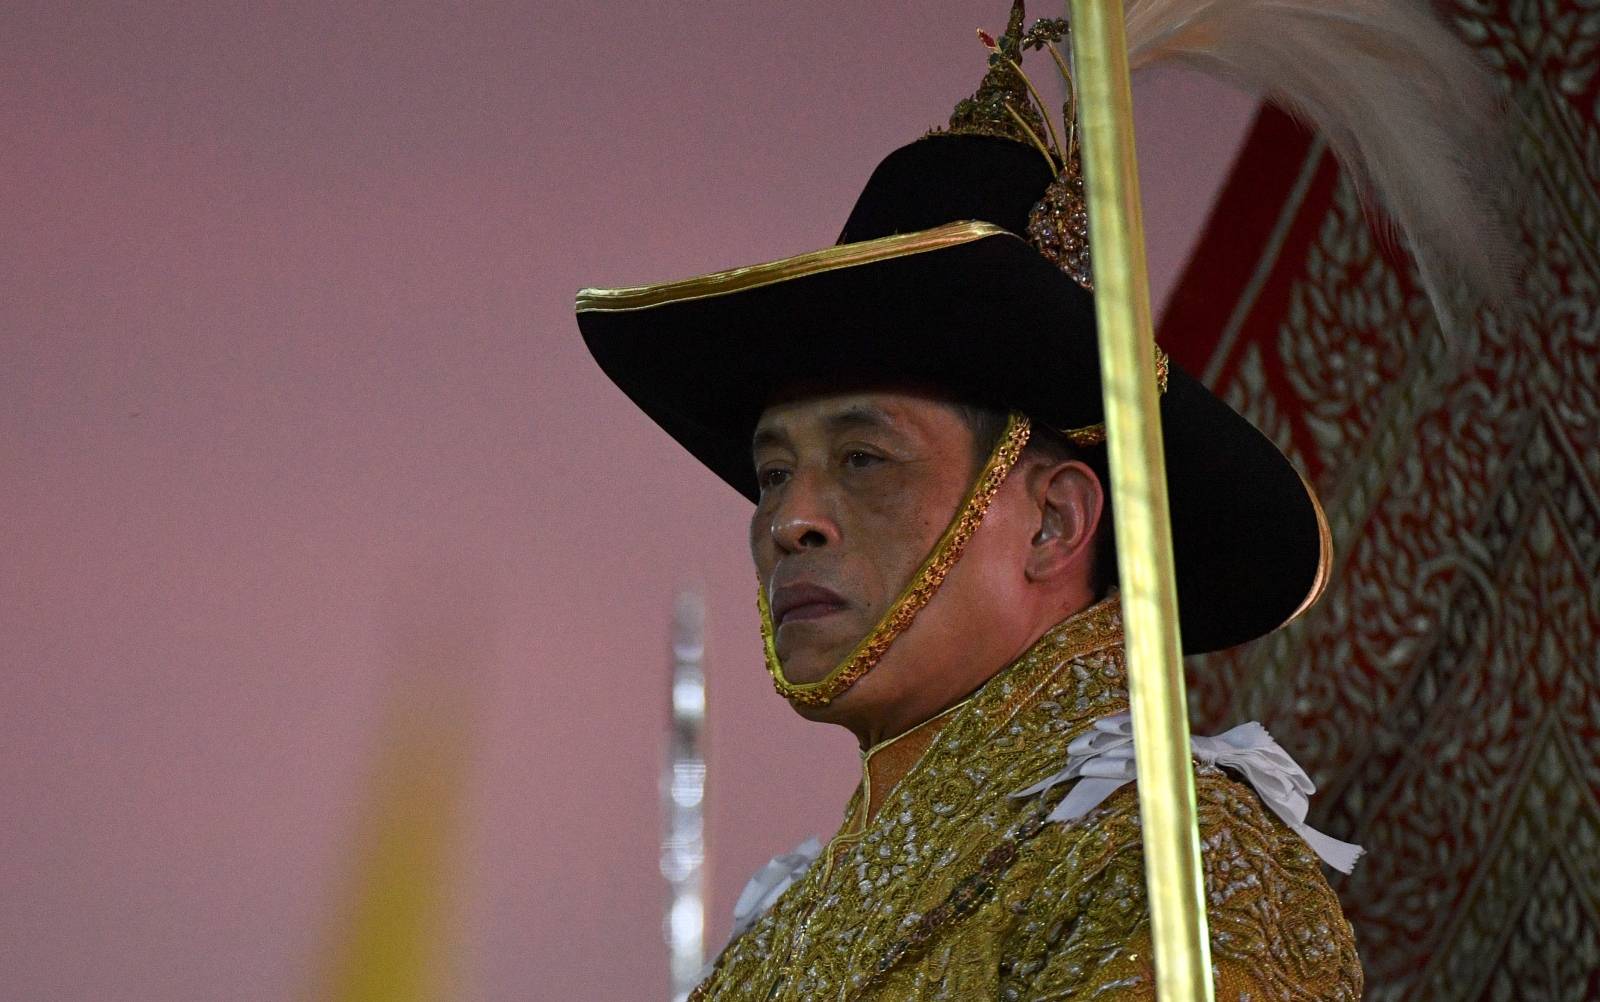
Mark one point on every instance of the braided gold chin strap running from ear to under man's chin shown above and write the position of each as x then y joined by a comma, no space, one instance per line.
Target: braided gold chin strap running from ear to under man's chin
918,593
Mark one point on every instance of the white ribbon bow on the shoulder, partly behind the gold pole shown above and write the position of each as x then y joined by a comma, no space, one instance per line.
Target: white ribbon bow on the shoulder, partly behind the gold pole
1102,761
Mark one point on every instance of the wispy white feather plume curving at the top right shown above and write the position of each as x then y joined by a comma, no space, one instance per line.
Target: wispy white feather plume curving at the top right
1398,97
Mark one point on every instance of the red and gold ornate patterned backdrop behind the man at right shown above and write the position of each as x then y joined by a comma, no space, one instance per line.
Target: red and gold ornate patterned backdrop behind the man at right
1446,691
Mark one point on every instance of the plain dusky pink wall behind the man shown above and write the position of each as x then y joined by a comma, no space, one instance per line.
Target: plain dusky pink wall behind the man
290,383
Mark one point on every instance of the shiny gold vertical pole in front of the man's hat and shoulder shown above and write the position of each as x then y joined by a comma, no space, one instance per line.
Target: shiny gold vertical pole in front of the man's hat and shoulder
1138,473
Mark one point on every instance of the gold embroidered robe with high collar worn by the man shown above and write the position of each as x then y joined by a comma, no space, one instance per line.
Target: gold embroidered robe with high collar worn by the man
954,889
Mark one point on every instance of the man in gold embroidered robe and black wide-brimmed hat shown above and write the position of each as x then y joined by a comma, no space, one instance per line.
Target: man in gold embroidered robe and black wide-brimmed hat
916,414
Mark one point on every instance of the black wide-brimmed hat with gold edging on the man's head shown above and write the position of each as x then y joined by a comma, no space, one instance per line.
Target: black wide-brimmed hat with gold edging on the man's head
934,283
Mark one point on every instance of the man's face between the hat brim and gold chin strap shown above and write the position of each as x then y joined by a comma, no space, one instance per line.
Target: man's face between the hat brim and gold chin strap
857,491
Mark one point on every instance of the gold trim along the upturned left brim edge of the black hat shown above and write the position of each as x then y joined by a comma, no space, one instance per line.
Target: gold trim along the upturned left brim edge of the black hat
786,270
